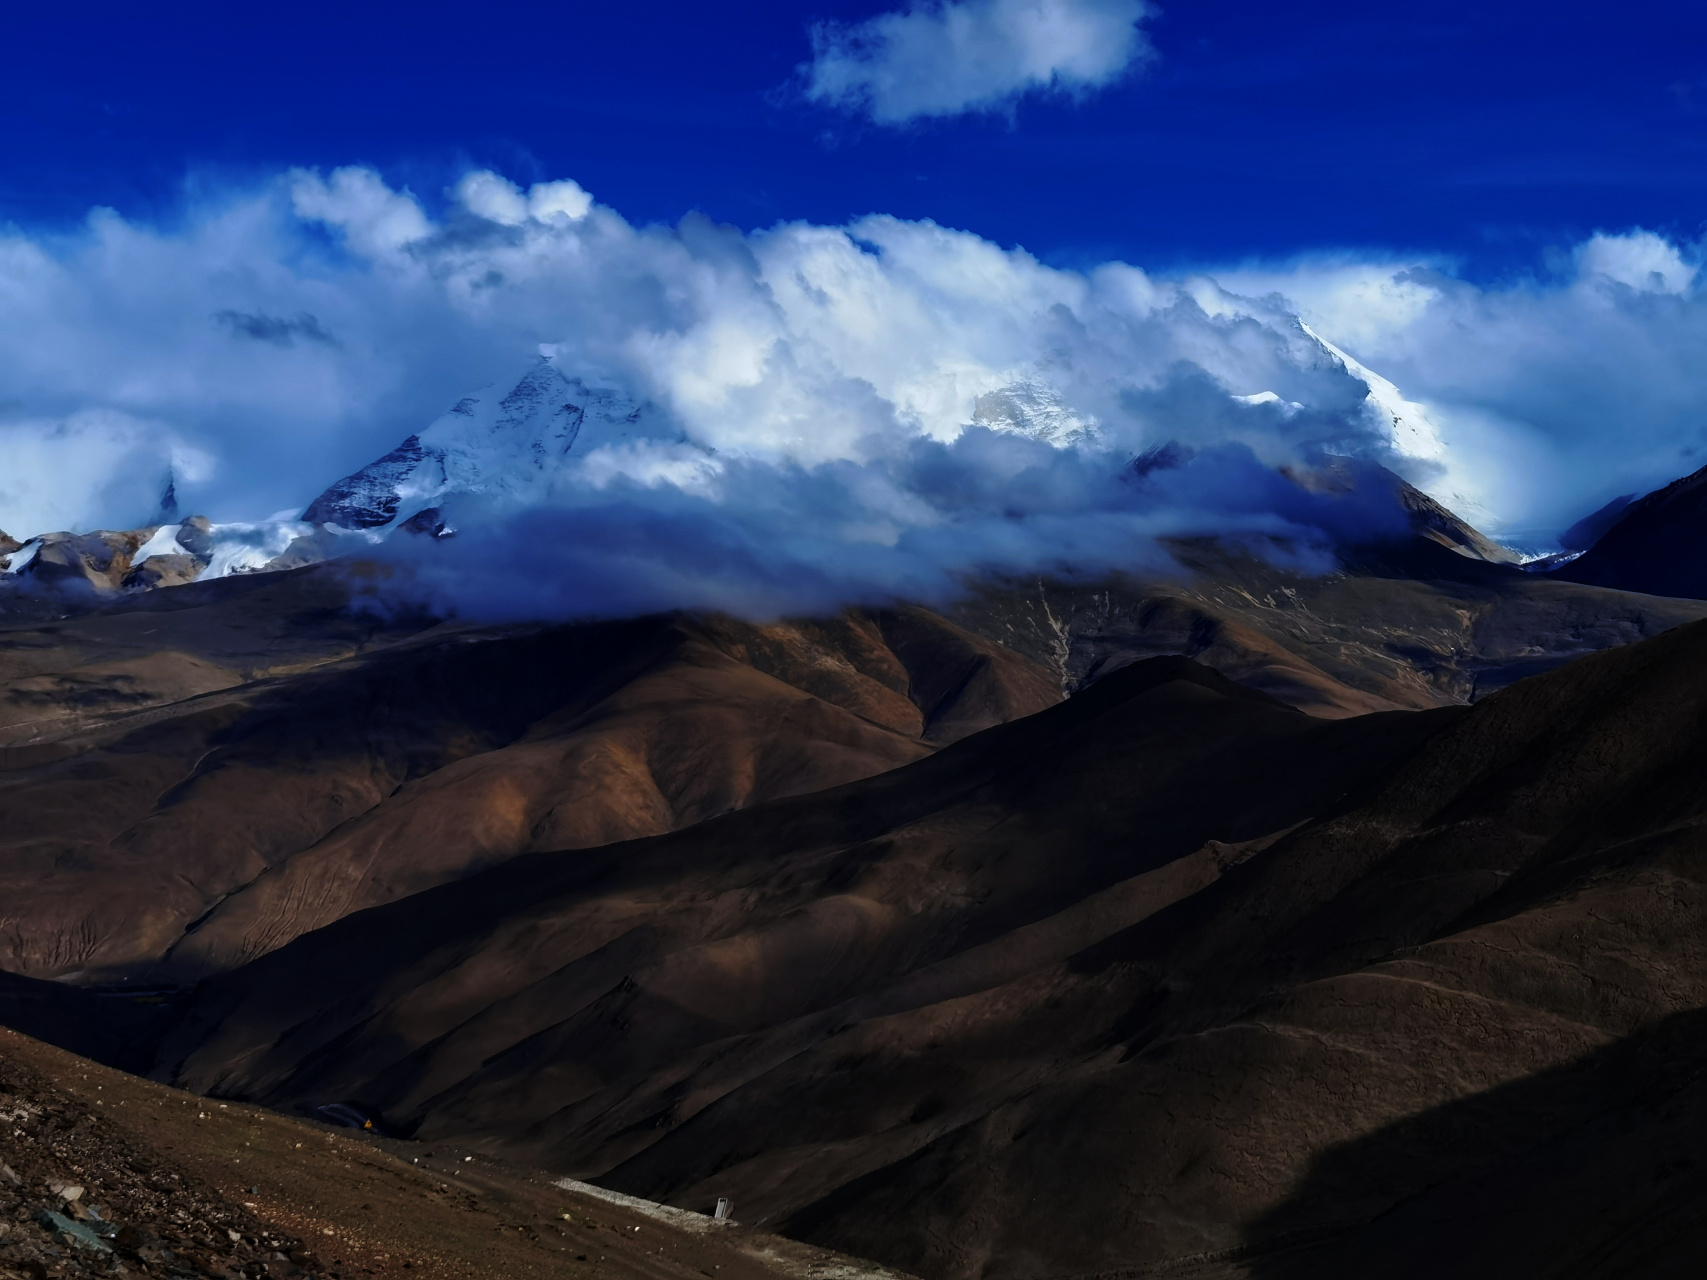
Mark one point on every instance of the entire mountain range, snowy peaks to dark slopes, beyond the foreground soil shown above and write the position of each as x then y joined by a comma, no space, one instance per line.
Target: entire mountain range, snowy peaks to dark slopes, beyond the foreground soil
1233,921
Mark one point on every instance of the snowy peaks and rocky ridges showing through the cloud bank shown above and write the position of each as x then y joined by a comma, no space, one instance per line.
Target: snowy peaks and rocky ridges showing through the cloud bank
516,441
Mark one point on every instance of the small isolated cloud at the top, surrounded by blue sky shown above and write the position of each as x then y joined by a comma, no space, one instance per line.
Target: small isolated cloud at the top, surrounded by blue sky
955,57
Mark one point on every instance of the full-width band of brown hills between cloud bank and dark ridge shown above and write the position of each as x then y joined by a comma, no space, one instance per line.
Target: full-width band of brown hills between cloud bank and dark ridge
248,759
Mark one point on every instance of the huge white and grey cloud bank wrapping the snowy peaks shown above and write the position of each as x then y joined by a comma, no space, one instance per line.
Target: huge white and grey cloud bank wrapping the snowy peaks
830,412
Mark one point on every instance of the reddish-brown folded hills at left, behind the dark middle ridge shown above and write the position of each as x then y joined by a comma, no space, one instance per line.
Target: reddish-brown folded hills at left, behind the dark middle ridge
204,830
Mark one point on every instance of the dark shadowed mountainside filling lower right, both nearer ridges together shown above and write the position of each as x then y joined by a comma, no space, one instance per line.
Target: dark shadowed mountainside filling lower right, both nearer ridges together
1071,999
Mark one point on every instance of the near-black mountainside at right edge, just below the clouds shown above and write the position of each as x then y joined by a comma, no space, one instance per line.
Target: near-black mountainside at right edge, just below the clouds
1658,545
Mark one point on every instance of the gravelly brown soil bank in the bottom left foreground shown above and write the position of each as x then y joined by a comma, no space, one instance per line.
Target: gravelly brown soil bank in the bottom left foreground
185,1172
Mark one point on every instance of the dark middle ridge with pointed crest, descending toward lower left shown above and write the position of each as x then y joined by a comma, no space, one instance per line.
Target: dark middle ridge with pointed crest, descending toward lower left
602,1015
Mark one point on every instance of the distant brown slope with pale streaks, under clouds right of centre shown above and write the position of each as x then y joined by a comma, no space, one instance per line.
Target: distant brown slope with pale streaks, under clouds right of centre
1401,627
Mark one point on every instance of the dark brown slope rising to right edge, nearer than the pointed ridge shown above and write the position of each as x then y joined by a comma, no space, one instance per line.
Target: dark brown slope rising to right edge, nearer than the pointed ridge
1523,895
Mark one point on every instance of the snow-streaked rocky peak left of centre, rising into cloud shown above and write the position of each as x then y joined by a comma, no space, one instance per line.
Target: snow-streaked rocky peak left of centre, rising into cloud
501,445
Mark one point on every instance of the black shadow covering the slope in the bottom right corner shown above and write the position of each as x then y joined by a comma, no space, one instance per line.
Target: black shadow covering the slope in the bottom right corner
1590,1172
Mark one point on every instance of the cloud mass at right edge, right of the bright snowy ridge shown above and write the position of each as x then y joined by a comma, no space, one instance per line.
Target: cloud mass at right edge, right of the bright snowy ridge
1554,393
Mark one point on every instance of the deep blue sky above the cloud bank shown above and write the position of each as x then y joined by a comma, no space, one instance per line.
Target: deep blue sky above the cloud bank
1481,131
